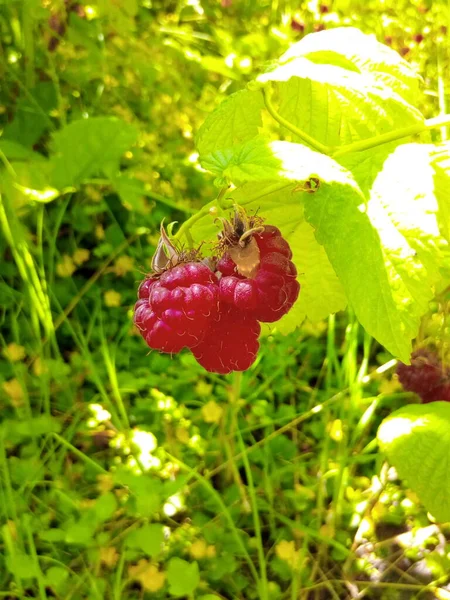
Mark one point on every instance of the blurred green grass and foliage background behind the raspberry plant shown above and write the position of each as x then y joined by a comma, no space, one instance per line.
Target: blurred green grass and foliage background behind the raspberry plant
125,474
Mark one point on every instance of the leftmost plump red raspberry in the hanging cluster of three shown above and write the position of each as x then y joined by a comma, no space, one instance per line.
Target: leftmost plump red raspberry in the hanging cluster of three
174,311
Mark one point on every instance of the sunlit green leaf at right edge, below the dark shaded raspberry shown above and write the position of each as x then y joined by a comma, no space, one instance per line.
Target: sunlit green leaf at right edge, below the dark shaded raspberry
416,439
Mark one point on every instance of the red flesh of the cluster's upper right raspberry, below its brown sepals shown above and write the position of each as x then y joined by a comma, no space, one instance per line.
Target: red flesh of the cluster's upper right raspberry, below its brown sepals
274,289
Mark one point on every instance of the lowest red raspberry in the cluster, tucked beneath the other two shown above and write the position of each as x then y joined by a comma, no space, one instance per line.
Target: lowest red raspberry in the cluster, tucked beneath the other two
231,343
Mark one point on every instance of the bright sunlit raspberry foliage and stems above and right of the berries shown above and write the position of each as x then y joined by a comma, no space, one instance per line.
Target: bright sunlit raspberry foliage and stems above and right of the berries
366,207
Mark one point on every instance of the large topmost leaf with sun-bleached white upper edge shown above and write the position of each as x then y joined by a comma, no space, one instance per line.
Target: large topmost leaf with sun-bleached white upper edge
336,104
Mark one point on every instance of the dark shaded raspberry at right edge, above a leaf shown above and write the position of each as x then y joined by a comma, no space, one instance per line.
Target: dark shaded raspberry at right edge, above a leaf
425,376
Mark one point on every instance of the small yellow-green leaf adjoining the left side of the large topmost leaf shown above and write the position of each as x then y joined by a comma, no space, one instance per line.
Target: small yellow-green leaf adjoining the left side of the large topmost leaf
236,120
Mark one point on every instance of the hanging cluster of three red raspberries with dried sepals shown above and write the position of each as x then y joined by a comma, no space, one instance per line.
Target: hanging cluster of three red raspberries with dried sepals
214,308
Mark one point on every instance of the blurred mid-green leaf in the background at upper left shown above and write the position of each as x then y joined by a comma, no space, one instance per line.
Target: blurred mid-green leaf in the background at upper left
89,147
